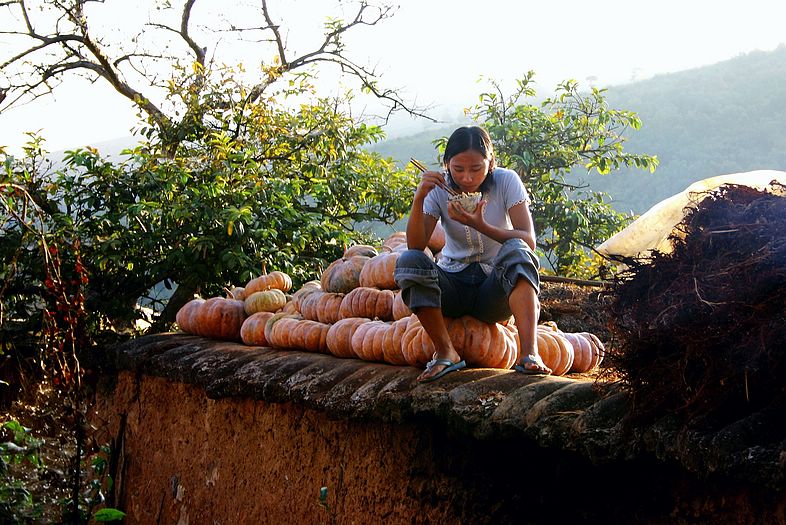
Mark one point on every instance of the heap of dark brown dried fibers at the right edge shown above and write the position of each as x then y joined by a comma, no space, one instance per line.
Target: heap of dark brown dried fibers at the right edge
701,332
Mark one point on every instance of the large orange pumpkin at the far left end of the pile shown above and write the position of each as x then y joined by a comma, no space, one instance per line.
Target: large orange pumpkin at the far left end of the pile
214,318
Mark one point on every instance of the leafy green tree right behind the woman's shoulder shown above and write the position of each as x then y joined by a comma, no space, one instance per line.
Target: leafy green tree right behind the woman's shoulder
543,142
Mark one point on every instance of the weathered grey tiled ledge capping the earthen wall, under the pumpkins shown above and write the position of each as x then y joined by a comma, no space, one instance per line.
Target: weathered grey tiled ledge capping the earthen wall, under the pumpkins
560,413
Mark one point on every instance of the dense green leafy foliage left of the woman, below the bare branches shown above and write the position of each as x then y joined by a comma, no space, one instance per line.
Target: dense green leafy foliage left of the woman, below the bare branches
250,184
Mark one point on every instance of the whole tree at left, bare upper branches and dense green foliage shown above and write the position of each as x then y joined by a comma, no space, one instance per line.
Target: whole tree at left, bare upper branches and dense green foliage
237,170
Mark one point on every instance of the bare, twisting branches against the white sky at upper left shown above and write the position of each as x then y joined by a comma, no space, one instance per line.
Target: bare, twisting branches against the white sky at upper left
58,39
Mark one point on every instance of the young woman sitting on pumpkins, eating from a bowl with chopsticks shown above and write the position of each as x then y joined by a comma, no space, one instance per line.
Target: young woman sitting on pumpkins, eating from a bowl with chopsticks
488,268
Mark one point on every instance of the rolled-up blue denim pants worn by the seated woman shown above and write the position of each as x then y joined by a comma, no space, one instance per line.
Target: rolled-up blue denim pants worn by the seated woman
471,291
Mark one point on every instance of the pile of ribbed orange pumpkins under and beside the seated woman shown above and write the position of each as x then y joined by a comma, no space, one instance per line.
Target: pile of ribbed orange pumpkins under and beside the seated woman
355,311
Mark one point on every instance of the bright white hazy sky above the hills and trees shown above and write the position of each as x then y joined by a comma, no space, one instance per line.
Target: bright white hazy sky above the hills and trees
436,50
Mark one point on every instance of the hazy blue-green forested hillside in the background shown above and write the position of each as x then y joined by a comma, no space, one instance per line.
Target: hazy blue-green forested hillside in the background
725,118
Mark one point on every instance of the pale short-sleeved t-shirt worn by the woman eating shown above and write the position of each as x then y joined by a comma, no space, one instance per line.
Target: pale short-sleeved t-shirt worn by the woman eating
465,245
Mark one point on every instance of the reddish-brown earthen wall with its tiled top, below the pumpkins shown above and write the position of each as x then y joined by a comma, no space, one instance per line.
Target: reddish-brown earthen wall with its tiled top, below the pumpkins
212,432
